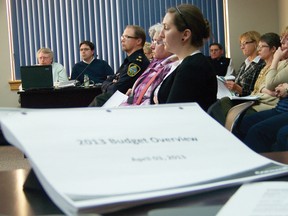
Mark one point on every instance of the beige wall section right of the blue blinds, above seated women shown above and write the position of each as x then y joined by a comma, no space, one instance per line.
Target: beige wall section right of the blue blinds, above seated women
247,15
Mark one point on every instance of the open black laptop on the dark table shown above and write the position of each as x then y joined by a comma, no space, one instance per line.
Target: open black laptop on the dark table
36,77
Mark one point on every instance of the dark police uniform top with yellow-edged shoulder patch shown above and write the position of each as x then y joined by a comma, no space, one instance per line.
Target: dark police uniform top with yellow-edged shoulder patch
132,67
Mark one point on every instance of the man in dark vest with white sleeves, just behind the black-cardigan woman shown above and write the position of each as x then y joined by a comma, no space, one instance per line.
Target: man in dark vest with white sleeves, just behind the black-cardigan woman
221,64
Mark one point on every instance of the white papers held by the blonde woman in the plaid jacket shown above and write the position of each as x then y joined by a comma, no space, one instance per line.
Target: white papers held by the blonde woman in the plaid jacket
223,91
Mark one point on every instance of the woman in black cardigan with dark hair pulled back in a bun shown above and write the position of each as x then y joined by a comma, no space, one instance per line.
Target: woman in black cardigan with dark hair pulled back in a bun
192,79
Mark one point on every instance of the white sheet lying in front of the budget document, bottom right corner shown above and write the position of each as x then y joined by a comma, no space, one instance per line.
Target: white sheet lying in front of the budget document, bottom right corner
258,199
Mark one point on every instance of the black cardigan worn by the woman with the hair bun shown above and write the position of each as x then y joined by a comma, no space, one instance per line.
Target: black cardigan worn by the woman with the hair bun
194,80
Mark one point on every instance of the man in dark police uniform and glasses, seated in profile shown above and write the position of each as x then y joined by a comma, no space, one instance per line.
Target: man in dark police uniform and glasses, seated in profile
132,40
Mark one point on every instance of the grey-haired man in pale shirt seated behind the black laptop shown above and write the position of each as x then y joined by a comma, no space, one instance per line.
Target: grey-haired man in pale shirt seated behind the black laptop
45,57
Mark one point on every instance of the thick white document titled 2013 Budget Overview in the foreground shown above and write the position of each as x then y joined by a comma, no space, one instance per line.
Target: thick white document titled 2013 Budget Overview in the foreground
122,157
